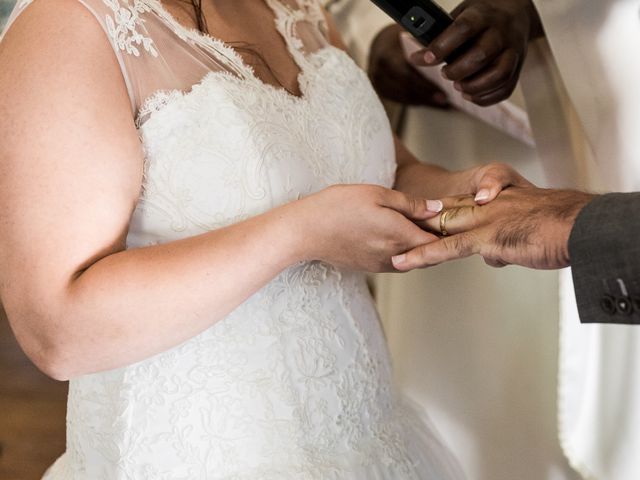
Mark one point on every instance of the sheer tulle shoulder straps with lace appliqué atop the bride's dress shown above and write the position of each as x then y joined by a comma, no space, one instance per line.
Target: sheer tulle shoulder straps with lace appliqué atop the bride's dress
158,54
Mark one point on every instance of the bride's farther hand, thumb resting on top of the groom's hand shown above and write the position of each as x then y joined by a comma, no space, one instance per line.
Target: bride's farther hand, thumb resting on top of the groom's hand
487,181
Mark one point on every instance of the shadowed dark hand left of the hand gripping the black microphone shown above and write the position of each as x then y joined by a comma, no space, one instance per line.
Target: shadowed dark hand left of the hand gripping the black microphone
394,78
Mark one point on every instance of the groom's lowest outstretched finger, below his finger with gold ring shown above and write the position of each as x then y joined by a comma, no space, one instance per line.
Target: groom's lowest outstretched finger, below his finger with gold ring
444,250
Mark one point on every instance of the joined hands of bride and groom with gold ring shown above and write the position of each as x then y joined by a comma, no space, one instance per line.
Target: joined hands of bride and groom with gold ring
503,218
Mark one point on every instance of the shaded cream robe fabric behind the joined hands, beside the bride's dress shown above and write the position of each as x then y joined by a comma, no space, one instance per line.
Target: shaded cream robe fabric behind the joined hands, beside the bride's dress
476,347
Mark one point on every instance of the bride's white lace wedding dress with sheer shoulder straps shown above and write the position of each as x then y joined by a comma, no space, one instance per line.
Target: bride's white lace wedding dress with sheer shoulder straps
296,383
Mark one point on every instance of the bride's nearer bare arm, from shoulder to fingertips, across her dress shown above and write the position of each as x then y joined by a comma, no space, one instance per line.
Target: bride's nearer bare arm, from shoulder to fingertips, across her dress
70,176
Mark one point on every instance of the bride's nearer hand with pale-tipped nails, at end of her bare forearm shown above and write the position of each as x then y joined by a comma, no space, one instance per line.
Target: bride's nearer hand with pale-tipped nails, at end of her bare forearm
360,227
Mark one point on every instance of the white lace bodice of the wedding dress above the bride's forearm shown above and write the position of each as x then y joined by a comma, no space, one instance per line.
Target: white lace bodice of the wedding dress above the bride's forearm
256,147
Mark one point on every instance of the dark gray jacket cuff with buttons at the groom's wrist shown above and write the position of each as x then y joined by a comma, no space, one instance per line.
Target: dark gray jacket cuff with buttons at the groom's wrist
605,257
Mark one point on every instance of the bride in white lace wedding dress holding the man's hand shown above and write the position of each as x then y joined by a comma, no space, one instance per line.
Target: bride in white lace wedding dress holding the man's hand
170,240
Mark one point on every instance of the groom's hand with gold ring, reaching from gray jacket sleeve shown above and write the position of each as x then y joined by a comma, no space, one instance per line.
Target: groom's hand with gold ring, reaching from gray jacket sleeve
524,226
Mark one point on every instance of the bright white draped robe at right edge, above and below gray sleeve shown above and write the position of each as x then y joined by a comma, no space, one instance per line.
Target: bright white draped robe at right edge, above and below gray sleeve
595,45
